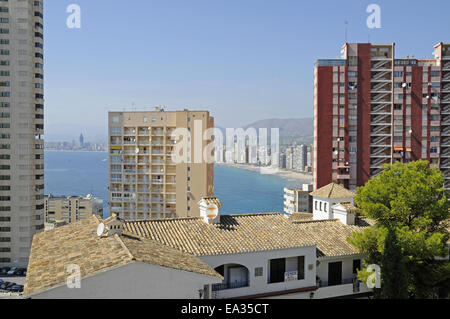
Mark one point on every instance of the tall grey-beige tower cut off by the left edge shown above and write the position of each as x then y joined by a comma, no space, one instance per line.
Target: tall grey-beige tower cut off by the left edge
21,128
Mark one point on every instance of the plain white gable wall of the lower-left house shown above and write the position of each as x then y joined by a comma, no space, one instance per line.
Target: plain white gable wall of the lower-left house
135,281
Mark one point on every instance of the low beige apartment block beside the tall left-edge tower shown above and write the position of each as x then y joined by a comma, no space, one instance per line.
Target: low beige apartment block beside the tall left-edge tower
71,209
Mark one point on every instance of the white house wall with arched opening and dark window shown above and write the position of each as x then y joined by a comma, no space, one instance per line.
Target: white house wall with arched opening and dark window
260,285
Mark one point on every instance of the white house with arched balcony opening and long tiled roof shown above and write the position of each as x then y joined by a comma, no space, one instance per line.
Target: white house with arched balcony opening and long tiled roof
267,255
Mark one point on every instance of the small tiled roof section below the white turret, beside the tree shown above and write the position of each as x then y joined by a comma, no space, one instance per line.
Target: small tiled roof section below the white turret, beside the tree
330,237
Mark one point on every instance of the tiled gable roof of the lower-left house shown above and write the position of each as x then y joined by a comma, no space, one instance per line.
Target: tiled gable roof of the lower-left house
78,244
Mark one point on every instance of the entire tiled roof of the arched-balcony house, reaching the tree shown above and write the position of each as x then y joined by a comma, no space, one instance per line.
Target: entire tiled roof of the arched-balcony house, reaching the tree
248,233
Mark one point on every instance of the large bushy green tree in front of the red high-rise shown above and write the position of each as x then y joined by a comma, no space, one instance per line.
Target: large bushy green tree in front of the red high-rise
409,206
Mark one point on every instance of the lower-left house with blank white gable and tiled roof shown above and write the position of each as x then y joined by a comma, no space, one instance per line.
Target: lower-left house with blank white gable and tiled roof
108,264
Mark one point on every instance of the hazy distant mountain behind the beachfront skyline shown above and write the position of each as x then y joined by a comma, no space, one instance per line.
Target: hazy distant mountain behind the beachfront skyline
291,130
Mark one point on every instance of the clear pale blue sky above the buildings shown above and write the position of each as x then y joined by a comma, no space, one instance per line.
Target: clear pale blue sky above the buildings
243,60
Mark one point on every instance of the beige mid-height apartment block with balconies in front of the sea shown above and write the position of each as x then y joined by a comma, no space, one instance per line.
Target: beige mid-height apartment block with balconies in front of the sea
144,180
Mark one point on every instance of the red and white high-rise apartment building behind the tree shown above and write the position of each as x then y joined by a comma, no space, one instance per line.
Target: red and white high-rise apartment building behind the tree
371,108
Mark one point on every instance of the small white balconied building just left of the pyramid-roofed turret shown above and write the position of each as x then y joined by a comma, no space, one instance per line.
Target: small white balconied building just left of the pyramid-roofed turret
298,200
